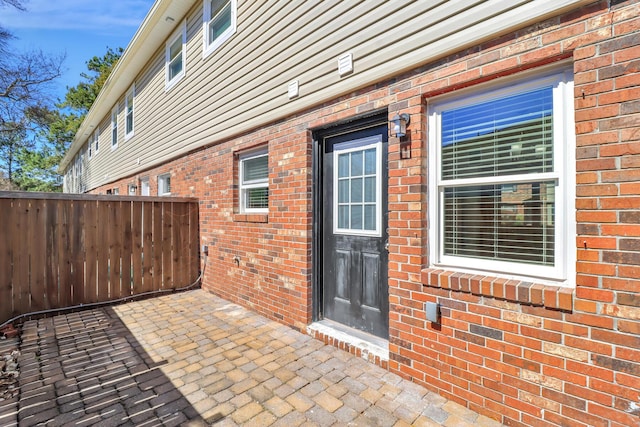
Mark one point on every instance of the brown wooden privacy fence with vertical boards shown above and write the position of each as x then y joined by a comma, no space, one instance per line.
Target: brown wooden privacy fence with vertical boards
59,250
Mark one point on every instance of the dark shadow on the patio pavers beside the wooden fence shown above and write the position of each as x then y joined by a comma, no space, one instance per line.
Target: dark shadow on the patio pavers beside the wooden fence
86,368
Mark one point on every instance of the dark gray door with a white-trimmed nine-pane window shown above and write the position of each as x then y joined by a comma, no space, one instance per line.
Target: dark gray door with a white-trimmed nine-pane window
354,229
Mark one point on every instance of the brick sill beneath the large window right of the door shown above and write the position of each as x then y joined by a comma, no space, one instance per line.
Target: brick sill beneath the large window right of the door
535,294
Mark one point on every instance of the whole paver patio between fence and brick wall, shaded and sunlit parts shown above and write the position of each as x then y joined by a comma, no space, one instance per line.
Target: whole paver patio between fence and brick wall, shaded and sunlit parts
194,359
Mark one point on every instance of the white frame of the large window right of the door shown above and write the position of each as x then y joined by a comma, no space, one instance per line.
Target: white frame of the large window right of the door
563,173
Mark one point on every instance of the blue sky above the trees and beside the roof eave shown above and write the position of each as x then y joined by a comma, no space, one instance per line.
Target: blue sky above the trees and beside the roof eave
80,28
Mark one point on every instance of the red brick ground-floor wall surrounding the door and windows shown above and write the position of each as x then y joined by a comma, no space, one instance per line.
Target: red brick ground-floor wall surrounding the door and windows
525,354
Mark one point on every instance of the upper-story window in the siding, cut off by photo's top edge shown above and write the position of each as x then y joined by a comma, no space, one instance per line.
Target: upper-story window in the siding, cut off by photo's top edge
219,23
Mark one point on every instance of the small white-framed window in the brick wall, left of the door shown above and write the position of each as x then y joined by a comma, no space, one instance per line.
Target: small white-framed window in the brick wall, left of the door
254,182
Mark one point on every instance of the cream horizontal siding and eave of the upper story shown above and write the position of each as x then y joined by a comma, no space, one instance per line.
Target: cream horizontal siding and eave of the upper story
242,84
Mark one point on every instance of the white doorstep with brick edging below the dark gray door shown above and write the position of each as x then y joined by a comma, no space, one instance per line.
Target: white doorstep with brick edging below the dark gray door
369,345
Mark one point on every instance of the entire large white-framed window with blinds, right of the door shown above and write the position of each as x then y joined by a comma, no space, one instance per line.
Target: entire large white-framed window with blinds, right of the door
502,179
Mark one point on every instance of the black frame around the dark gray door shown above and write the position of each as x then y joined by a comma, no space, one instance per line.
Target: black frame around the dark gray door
356,123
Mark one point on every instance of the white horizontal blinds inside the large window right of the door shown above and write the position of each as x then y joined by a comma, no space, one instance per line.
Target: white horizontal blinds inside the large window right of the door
503,137
